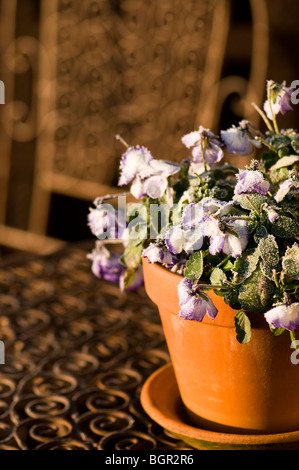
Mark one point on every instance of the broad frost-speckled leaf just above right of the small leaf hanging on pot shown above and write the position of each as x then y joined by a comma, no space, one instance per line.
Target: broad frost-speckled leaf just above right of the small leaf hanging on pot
255,292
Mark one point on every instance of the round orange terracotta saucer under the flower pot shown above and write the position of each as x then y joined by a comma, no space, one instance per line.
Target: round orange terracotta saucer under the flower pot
161,400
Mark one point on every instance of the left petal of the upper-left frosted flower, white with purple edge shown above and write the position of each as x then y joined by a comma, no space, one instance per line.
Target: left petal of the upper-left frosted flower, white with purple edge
133,161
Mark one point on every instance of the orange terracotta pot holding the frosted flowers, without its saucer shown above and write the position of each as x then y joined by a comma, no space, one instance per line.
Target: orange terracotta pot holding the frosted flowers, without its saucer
224,385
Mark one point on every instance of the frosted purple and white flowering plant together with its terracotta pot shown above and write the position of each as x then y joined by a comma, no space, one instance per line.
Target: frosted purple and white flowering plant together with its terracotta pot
220,253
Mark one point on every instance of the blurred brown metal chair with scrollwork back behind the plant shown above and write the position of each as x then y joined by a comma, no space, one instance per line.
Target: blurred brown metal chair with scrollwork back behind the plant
149,71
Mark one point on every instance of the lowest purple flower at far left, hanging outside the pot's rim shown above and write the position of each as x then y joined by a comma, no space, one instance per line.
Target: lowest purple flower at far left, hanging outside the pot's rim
106,265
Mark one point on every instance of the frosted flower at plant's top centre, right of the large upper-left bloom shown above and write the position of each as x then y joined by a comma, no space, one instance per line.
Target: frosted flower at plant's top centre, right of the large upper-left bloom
205,146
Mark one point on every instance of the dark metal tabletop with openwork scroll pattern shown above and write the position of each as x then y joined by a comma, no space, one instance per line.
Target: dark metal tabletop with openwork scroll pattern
77,352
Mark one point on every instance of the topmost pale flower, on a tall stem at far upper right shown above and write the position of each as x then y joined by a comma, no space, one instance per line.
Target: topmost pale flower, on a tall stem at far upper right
278,101
